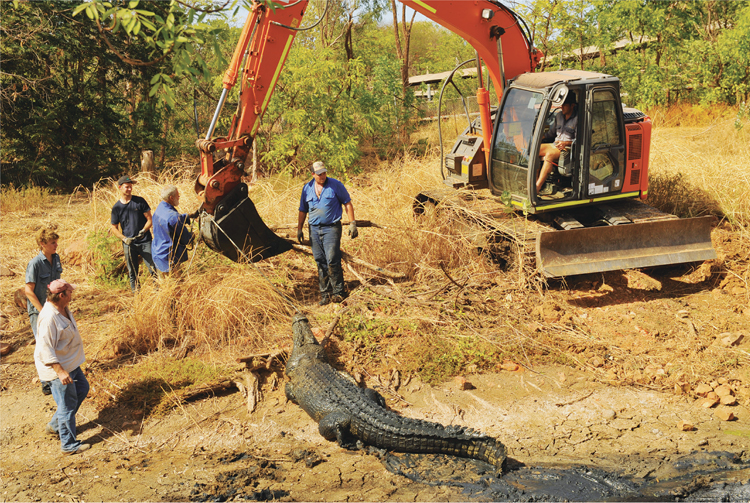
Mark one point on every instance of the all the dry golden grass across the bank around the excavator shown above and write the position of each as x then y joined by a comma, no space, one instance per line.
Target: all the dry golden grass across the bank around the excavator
455,309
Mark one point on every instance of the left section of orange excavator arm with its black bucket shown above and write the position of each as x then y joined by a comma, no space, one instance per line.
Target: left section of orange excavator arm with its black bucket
230,224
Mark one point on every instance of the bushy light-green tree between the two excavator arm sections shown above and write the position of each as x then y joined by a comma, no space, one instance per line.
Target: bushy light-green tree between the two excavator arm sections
325,108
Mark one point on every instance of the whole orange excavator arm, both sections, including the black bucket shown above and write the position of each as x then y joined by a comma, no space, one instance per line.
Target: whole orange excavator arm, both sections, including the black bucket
231,224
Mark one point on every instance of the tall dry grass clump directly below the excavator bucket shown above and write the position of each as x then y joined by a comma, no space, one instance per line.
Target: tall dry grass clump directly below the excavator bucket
218,308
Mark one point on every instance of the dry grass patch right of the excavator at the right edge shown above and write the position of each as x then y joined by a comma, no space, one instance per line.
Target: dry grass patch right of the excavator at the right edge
701,171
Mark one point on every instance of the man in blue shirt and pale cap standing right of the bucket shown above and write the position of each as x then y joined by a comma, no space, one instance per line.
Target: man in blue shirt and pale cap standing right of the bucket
322,199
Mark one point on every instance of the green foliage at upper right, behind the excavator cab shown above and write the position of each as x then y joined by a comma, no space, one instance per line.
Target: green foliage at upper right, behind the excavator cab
679,51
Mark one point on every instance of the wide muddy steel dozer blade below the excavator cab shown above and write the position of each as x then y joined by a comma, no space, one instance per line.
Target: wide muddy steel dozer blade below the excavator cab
627,246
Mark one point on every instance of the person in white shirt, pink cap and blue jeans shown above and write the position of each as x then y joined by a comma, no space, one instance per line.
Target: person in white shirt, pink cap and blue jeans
58,357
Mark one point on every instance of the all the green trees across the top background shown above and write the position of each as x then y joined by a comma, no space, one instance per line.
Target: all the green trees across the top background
85,86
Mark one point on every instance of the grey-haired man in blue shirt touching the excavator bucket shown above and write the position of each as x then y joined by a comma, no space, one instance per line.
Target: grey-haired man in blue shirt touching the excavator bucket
171,231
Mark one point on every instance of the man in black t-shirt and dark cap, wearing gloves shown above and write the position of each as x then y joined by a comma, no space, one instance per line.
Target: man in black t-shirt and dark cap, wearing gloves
133,215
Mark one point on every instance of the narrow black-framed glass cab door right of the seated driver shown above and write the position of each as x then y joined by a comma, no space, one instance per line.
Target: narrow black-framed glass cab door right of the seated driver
605,163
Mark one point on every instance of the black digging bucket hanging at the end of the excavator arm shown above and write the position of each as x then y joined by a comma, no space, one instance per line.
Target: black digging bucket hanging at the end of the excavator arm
236,223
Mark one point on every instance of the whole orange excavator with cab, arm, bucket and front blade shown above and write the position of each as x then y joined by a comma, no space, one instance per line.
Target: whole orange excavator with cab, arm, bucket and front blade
587,216
